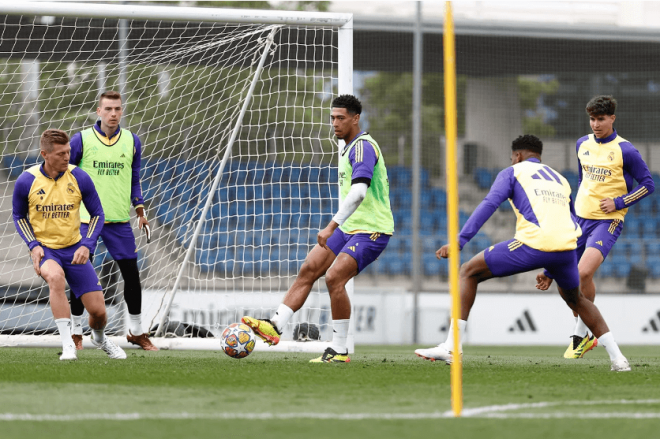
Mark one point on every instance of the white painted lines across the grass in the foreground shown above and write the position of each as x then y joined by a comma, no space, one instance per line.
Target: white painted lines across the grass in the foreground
492,411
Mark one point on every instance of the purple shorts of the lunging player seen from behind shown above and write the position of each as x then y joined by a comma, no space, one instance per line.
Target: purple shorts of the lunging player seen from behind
513,257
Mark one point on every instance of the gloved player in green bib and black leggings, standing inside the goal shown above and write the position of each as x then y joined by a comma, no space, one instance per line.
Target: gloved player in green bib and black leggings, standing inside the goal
111,156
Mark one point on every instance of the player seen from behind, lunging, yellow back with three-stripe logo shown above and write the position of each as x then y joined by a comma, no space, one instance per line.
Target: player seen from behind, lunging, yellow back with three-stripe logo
546,237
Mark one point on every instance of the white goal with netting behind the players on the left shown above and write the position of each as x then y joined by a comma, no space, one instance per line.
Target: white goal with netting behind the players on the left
238,161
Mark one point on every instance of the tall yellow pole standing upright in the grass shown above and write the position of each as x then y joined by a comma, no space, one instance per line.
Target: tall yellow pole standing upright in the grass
452,205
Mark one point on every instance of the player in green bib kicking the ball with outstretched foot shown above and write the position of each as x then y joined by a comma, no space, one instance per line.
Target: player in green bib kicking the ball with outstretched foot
355,237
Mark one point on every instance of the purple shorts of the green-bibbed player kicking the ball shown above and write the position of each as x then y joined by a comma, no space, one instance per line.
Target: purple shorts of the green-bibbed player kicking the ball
363,247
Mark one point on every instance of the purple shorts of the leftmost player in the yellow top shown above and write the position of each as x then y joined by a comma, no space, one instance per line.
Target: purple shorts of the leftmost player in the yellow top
81,278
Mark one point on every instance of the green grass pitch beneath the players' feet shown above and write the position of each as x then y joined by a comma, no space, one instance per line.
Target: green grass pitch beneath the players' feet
385,392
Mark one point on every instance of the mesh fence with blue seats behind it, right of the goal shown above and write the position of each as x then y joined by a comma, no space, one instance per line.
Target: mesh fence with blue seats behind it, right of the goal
513,78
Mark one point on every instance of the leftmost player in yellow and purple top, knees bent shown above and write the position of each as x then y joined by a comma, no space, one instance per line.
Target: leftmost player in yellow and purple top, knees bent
46,209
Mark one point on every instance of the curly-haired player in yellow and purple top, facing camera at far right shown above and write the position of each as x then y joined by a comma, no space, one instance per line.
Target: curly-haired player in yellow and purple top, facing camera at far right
607,165
